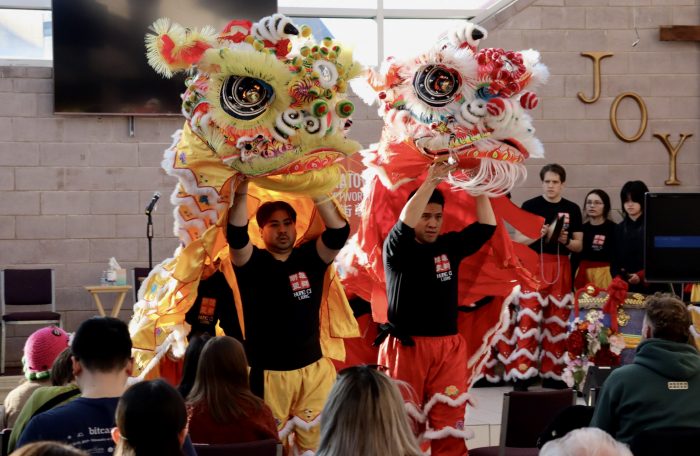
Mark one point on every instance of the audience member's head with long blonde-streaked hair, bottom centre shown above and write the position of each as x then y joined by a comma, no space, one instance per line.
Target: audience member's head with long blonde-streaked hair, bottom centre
365,414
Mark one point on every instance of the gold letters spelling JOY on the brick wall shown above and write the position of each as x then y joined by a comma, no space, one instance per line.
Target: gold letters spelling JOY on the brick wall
672,150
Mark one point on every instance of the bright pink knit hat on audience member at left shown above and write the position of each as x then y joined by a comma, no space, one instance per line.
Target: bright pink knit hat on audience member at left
41,350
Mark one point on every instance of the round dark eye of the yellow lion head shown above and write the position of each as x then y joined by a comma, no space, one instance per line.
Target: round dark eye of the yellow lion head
245,98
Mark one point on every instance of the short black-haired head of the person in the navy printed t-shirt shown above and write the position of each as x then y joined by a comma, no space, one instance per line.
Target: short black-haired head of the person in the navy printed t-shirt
102,344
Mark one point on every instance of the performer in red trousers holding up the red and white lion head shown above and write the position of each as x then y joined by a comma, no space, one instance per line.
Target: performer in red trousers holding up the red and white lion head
424,348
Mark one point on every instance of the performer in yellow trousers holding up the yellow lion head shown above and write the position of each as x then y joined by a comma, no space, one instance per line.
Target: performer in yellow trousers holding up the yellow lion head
281,288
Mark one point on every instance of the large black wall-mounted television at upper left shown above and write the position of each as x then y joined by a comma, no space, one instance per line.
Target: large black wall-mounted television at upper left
99,59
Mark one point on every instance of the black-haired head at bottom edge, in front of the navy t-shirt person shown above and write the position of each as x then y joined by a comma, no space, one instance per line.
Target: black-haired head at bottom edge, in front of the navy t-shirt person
151,419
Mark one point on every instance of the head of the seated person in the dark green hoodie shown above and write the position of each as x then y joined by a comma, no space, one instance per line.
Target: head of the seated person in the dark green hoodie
666,318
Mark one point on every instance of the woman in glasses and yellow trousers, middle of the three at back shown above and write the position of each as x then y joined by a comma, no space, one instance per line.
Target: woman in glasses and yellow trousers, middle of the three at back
598,242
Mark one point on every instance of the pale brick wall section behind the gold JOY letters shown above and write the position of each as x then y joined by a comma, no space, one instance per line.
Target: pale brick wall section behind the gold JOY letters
579,135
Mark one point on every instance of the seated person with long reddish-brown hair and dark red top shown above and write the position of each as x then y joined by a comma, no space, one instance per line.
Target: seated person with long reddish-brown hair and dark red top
221,407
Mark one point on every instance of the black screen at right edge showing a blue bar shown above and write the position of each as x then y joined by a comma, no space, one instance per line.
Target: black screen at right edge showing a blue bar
672,237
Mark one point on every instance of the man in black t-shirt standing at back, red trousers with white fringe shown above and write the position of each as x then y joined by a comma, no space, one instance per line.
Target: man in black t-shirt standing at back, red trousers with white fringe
543,314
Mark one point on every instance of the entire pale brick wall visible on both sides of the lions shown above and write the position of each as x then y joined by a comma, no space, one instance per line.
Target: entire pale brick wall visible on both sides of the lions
73,189
